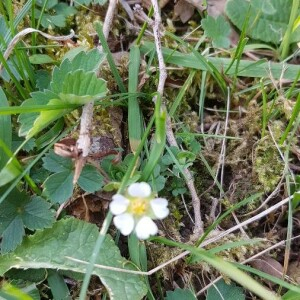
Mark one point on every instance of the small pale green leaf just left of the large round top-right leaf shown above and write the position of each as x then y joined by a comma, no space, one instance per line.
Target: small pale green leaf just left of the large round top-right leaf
218,30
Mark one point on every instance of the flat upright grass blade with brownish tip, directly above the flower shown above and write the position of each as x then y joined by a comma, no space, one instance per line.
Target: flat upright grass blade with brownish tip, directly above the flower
134,112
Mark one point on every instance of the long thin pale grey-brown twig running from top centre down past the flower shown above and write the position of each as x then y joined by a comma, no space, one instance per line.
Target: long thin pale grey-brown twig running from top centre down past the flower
198,230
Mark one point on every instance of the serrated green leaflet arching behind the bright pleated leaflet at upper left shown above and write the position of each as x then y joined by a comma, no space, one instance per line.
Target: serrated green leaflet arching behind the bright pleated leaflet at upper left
86,61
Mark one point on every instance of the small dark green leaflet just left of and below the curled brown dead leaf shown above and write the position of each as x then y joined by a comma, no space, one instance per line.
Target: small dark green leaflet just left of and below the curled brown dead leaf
55,163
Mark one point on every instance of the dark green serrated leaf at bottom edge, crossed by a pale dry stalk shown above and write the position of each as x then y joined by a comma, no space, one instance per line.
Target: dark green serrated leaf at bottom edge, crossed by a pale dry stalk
223,291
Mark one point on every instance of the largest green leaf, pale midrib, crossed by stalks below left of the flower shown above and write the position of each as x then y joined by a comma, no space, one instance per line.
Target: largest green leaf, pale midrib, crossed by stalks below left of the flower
50,248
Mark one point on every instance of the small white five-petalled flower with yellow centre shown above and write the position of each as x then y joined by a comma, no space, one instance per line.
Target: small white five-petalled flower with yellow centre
137,209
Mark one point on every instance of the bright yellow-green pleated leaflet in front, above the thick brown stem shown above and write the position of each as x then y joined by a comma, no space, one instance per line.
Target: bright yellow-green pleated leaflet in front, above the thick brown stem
80,87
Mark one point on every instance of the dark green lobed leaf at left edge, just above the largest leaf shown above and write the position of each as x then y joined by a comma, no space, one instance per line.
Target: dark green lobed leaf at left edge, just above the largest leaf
17,211
